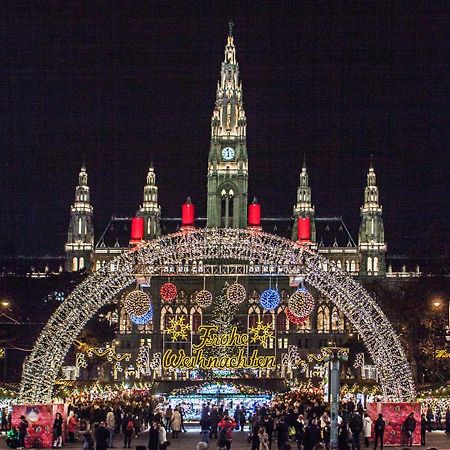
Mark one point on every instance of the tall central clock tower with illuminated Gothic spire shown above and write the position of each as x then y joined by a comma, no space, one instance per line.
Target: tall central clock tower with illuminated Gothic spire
228,160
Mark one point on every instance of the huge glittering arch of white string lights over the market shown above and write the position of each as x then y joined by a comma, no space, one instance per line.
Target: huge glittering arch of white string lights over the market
190,252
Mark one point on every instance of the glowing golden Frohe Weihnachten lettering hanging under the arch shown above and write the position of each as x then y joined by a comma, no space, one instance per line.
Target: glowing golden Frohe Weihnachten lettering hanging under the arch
204,354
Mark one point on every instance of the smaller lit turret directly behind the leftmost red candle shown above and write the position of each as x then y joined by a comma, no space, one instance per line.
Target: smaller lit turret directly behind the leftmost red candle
150,210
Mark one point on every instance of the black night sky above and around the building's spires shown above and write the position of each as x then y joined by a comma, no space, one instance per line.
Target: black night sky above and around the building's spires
116,84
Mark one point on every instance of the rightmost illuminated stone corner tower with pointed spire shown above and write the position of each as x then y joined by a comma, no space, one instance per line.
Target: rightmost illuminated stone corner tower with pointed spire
372,247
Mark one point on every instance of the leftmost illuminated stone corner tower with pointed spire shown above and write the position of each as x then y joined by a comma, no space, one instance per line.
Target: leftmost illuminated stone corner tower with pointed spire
80,236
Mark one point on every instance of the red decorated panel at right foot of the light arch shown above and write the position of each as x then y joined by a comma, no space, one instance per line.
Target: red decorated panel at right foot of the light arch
394,414
